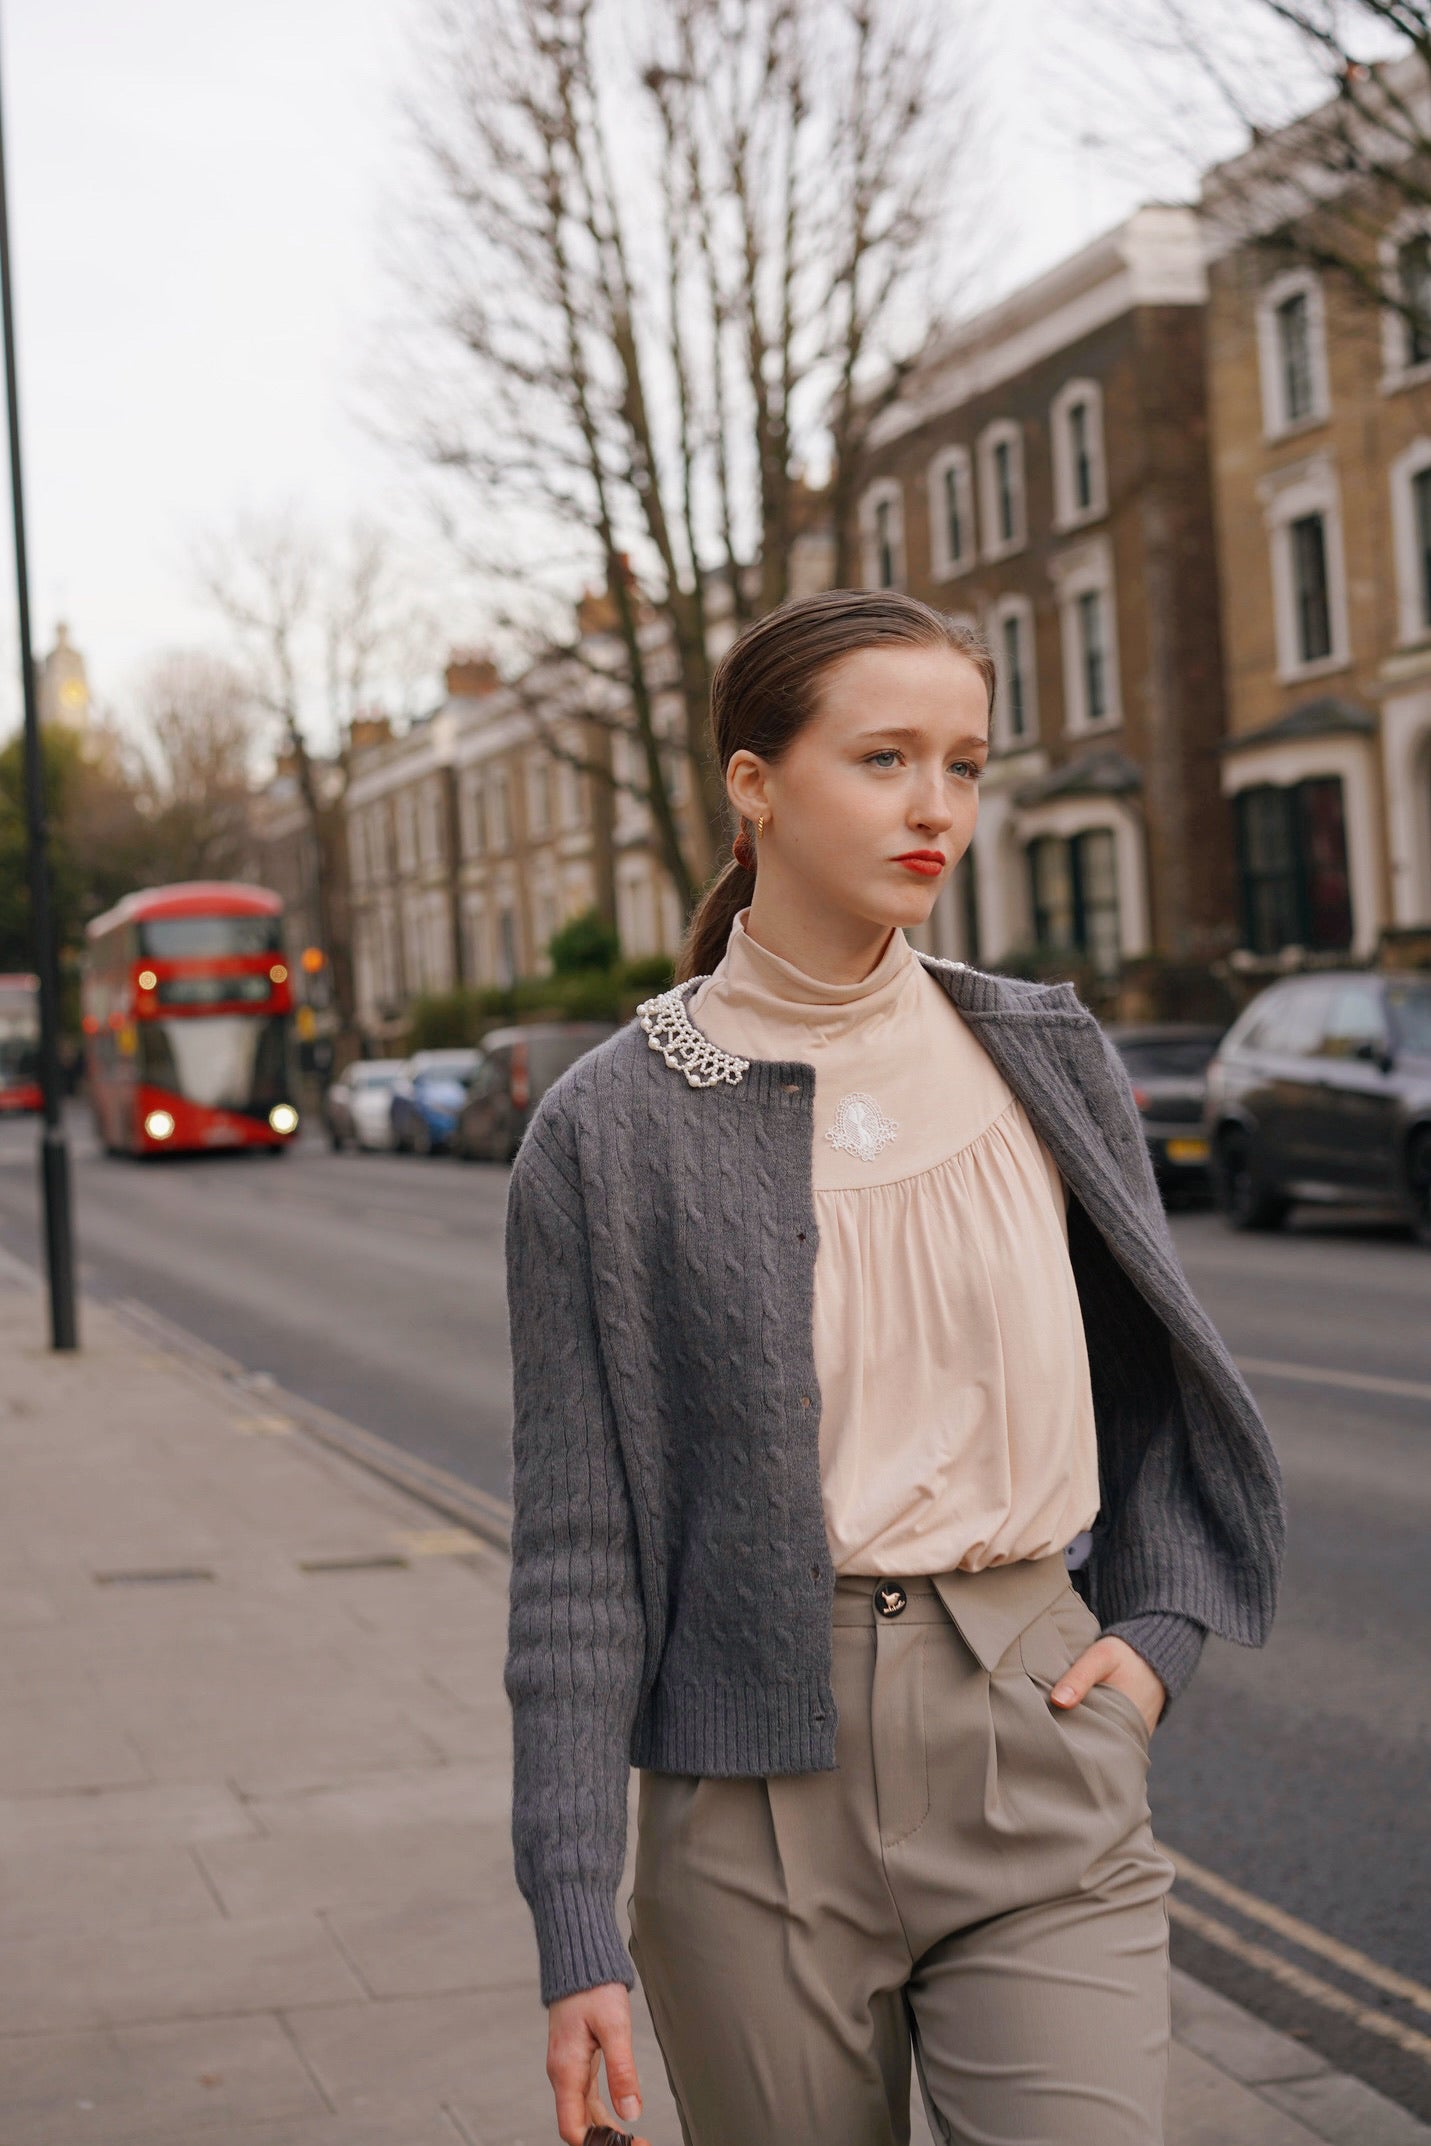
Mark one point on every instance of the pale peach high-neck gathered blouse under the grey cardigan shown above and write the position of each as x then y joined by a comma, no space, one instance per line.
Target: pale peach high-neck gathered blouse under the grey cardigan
958,1424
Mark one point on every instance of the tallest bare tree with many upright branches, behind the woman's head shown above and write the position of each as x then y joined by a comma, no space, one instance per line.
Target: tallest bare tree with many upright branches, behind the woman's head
681,259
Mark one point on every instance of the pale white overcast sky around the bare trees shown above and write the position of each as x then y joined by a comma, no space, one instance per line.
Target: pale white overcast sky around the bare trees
198,199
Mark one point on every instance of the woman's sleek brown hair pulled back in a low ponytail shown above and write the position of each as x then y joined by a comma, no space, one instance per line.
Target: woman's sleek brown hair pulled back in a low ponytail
767,690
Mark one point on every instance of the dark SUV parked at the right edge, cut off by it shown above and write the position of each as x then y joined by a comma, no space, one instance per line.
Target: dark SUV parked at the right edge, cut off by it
1323,1093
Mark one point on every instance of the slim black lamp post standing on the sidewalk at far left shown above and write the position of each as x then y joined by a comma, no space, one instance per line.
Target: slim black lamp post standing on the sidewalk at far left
55,1151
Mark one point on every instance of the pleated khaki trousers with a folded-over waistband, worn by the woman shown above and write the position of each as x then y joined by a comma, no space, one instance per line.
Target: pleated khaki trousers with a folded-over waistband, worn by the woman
975,1887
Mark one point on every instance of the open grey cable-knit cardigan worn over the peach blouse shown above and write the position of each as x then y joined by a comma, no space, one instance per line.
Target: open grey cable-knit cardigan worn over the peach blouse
670,1583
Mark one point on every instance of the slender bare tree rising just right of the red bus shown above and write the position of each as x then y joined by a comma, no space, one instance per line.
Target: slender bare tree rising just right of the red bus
323,634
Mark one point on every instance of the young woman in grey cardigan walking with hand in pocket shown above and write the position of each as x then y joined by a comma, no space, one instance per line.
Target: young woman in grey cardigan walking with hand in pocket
876,1478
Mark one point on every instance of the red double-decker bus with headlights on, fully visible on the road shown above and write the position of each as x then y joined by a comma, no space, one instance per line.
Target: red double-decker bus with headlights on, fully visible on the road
188,1020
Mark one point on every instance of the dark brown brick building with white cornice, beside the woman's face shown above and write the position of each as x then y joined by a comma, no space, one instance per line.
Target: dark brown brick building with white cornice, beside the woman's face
1046,477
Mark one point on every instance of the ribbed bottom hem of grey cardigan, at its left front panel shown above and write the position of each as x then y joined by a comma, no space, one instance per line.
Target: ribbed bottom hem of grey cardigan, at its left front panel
737,1729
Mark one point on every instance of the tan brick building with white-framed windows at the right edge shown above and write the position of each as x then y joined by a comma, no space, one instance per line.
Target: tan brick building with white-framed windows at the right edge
1321,405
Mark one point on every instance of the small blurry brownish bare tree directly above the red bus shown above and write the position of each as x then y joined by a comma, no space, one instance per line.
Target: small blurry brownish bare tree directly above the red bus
198,716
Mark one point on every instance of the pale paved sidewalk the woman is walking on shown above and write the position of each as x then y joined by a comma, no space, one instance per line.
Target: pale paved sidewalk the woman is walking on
254,1767
